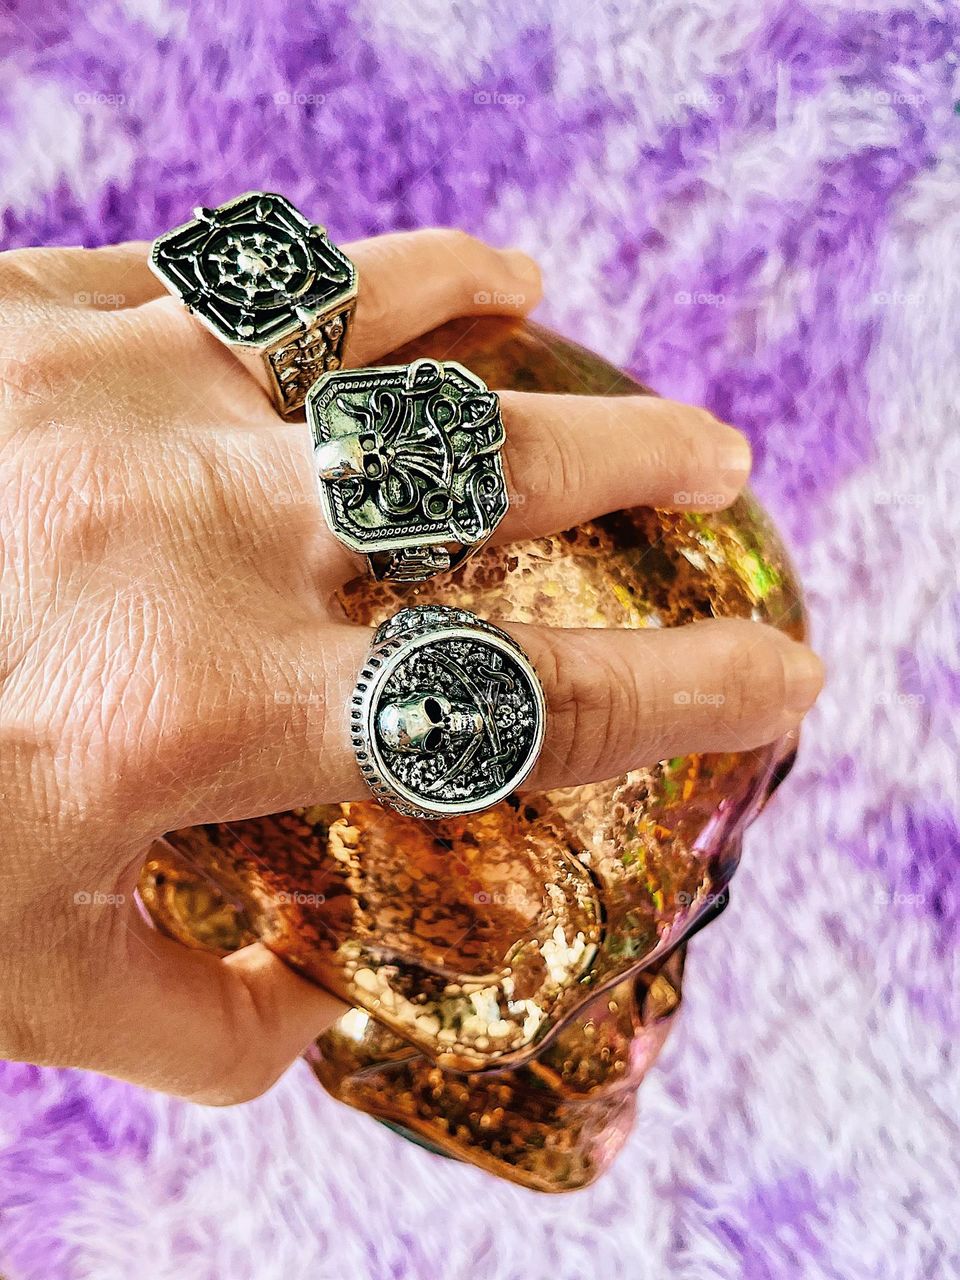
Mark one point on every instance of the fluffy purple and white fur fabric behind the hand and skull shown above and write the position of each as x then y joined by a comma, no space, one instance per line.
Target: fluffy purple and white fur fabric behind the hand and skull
748,204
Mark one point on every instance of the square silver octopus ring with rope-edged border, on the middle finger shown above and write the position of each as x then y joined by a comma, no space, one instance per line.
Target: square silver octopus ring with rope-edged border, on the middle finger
409,463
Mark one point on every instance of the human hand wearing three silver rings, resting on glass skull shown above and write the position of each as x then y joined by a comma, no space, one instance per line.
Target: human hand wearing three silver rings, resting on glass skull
171,651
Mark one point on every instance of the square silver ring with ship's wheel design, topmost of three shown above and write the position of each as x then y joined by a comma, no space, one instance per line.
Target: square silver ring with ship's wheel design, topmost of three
268,284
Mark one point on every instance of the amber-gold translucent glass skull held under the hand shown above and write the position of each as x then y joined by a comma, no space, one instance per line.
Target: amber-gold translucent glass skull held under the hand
513,975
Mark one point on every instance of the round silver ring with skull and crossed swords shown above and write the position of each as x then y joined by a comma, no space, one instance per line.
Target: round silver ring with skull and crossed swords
449,715
